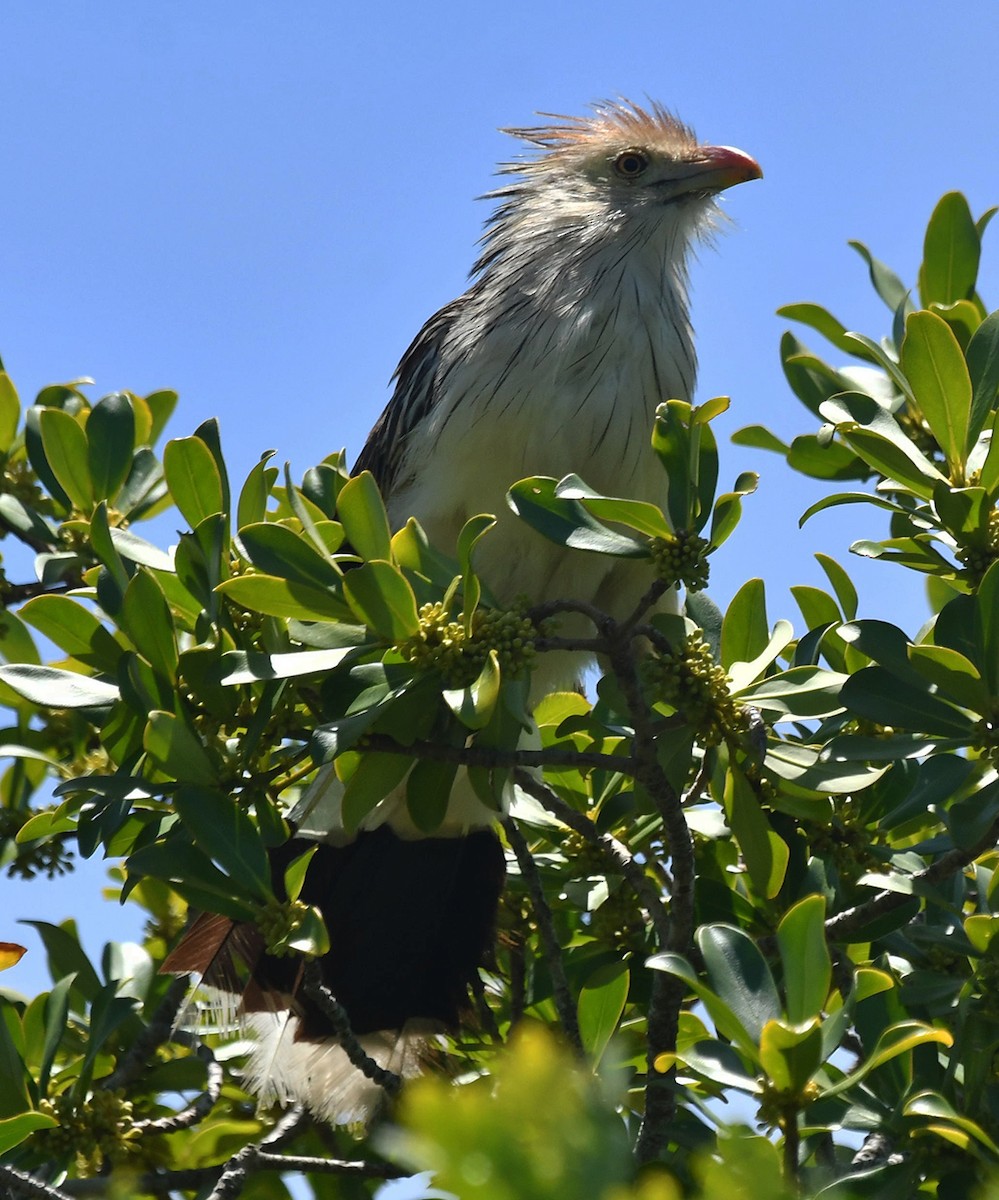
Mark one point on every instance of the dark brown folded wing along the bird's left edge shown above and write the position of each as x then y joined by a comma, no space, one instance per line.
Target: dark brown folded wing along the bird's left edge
415,397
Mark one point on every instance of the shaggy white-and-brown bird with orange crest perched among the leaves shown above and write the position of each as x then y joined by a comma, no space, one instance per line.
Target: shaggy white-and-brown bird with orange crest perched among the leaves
573,329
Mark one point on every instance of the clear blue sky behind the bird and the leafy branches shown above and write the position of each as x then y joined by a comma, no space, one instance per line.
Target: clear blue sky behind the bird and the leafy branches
259,205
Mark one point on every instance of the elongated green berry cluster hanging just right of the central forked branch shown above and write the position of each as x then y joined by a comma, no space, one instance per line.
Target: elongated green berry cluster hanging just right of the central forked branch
687,679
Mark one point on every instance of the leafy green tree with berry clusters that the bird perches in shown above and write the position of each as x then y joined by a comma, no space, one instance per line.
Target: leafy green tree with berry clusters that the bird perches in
756,863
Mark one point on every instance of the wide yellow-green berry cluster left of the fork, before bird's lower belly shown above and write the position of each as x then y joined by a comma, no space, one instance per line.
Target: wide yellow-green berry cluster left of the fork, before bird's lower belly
445,645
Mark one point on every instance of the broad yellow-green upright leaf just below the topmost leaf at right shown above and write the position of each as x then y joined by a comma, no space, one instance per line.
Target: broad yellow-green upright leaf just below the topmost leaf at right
938,375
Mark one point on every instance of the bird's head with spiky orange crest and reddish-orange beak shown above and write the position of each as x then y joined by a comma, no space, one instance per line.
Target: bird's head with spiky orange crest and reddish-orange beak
623,164
